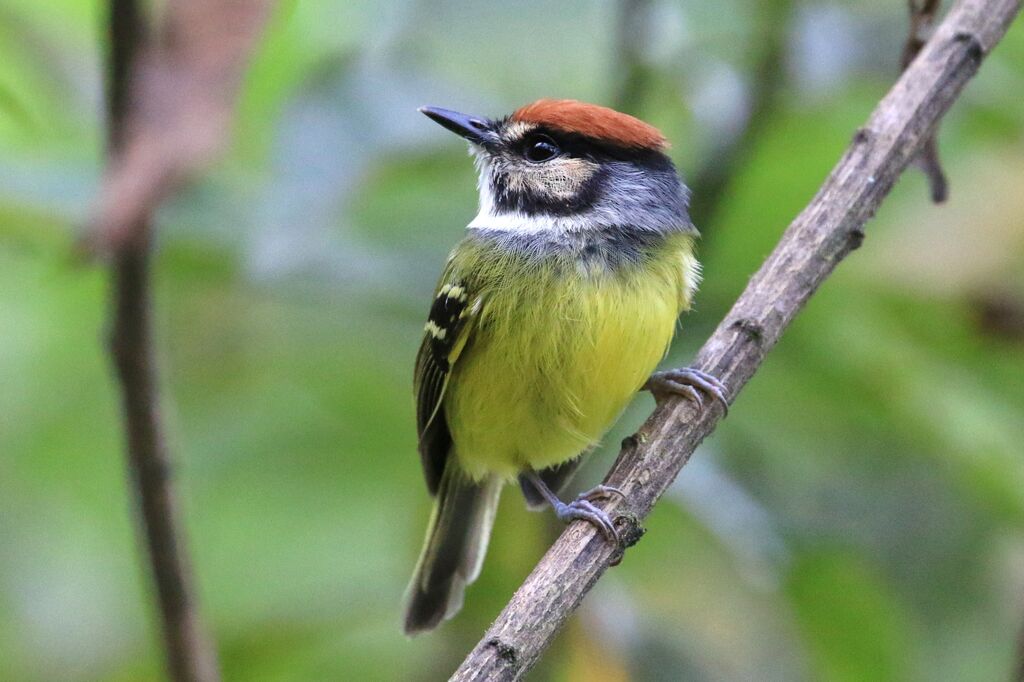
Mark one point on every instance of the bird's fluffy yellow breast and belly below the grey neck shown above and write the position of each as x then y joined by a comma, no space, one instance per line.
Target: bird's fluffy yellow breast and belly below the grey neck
550,368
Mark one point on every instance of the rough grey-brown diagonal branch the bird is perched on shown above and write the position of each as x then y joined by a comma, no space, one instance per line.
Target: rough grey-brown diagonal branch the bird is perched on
822,236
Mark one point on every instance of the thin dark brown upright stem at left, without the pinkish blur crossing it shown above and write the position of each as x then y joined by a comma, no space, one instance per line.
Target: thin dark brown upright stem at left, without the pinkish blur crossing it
189,651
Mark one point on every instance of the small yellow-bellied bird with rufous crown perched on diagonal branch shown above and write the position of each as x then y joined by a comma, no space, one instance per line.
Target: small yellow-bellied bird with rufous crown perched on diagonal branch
550,315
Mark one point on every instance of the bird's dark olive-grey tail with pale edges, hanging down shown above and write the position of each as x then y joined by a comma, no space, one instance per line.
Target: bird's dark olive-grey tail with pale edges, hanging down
453,552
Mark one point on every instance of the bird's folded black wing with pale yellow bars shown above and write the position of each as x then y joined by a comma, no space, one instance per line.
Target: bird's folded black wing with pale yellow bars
444,339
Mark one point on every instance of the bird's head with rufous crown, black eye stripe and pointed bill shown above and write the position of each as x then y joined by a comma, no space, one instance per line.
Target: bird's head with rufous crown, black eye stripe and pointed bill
566,165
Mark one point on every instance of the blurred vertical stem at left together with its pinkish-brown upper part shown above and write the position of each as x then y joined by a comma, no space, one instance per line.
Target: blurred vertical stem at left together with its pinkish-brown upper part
168,104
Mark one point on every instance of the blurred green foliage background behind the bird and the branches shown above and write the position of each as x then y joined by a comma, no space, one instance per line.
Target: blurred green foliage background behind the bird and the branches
860,516
